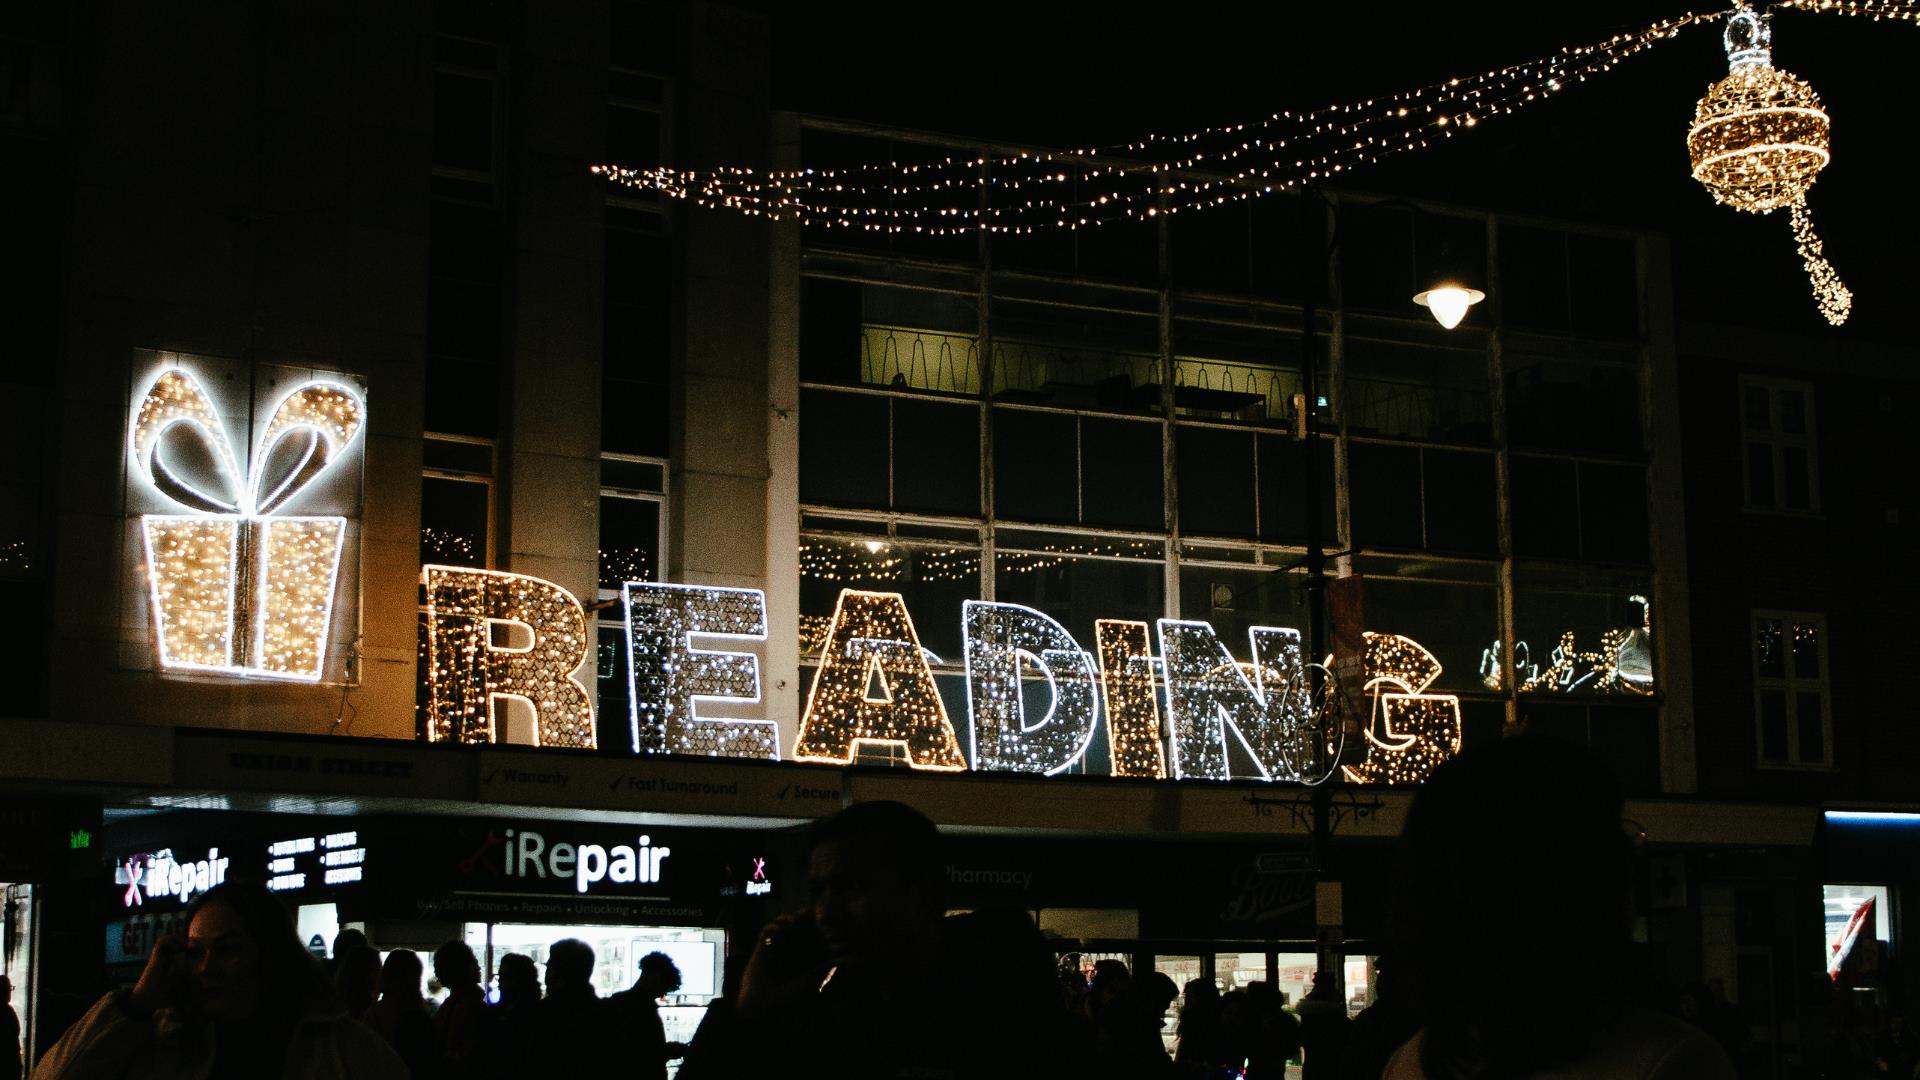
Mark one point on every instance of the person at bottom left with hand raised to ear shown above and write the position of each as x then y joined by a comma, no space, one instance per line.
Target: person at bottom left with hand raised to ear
237,996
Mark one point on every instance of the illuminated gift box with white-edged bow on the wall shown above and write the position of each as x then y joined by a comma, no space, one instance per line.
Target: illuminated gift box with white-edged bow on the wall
237,585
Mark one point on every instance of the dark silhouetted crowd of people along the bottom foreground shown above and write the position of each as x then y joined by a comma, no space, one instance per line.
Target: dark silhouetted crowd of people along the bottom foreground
1508,962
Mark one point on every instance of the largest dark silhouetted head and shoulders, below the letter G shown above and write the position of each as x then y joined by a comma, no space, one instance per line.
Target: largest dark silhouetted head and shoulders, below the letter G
1514,916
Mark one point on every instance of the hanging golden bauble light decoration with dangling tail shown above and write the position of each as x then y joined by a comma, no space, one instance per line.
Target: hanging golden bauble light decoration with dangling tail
1760,141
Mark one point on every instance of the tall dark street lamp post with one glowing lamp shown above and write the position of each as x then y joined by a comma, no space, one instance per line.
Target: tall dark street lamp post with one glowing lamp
1449,295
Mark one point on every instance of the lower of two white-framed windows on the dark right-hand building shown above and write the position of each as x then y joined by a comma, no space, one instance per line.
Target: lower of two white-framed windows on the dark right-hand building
1790,689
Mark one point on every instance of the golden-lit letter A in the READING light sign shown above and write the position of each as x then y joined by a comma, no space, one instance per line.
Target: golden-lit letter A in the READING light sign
875,687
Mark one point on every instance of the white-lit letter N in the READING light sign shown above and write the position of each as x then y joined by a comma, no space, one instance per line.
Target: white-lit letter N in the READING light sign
1209,695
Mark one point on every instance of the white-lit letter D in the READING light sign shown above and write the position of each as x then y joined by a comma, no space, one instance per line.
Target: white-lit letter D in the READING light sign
999,639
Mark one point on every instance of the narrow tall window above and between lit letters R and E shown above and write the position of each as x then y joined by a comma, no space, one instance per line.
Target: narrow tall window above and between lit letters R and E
633,547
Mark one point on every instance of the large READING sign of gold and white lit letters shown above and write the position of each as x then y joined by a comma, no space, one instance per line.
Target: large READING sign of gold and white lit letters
500,637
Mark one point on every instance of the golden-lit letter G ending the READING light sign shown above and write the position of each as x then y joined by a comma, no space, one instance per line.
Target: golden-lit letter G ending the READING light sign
1410,733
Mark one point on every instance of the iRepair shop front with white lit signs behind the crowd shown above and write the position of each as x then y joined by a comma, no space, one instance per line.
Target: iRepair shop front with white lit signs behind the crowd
500,885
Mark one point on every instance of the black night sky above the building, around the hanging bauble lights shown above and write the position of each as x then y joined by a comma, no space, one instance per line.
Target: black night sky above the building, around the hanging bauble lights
1608,151
